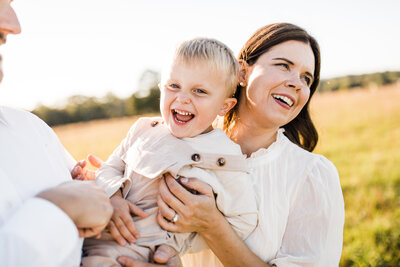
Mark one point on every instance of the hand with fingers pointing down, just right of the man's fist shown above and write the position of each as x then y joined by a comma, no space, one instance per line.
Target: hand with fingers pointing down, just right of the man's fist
121,225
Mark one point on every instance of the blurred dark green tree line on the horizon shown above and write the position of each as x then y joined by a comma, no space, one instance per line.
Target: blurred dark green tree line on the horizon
146,98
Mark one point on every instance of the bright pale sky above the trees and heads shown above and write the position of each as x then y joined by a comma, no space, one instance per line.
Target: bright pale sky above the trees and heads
92,47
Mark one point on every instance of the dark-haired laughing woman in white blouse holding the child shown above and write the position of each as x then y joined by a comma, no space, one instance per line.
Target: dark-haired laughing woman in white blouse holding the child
300,202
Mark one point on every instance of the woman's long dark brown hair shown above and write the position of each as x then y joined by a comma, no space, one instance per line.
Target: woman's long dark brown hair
301,129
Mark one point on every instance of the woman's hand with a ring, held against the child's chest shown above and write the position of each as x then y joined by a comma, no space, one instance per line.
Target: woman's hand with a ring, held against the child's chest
196,213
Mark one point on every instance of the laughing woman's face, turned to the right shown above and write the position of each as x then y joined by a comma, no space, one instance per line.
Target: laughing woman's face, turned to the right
278,85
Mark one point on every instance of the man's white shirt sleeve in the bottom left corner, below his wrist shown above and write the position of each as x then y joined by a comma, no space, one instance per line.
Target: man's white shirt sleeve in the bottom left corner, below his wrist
37,233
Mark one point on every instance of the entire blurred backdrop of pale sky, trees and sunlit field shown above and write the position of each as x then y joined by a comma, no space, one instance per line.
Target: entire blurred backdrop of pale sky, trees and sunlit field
89,68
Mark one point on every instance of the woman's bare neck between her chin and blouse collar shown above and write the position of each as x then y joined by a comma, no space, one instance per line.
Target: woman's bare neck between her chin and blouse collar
251,137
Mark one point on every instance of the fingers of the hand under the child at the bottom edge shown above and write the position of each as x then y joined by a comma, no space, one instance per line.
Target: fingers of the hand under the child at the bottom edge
163,256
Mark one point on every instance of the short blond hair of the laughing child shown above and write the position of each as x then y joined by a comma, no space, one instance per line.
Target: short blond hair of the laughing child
215,54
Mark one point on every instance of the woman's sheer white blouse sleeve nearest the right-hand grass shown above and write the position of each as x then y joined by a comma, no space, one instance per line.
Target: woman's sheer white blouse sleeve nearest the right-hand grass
314,230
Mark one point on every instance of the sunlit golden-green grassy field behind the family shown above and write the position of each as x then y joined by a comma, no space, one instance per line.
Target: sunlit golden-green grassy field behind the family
359,132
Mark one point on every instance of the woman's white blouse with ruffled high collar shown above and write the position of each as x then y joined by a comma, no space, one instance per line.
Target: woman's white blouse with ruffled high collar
301,209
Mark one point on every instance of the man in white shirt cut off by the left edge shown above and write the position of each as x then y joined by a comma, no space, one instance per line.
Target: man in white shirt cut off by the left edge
43,213
